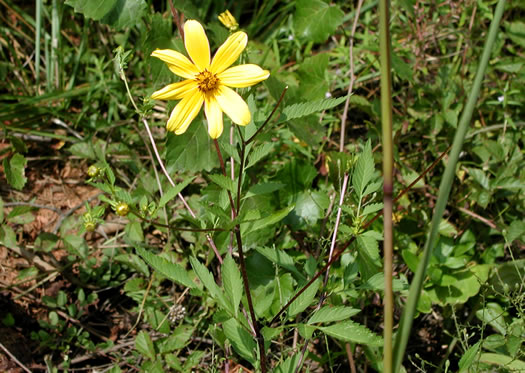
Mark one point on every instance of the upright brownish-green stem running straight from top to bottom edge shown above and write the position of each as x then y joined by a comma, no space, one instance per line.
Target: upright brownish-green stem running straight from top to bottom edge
388,181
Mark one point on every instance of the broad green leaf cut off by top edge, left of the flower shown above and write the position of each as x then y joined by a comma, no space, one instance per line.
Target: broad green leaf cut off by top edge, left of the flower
116,13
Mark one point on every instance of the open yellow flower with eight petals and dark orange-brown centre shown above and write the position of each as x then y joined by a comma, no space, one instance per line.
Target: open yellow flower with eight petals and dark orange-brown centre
207,81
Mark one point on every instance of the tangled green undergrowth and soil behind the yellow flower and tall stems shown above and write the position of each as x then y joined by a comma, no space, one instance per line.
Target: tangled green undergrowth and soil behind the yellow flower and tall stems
87,284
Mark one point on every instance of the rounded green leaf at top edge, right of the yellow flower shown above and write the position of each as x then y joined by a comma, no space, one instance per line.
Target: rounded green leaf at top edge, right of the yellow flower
315,20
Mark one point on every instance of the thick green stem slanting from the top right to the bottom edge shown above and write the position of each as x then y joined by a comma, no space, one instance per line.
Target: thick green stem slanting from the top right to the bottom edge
444,191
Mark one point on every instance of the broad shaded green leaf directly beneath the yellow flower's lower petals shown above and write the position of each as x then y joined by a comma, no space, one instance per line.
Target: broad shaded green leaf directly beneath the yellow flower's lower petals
192,151
